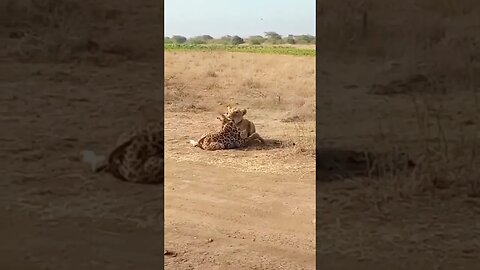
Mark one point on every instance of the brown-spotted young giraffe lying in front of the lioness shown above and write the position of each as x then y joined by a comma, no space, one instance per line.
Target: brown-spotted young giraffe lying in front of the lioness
228,137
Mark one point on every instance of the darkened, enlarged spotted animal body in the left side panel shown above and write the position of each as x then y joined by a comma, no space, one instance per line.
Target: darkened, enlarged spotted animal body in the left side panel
138,156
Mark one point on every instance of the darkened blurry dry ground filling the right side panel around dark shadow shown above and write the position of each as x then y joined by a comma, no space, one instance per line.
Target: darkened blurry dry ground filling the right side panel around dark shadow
435,122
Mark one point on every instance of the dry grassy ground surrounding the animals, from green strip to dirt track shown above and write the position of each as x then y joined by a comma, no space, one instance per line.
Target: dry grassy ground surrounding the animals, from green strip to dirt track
277,91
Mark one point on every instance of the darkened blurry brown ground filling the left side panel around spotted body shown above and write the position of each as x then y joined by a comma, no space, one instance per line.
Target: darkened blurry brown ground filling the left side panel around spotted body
56,100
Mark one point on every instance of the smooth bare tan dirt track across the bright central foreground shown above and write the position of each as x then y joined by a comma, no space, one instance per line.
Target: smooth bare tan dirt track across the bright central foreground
253,220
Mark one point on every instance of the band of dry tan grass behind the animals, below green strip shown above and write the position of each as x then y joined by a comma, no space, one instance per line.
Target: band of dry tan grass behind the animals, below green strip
214,79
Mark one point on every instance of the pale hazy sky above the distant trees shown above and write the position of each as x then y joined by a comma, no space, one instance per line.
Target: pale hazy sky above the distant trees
239,17
